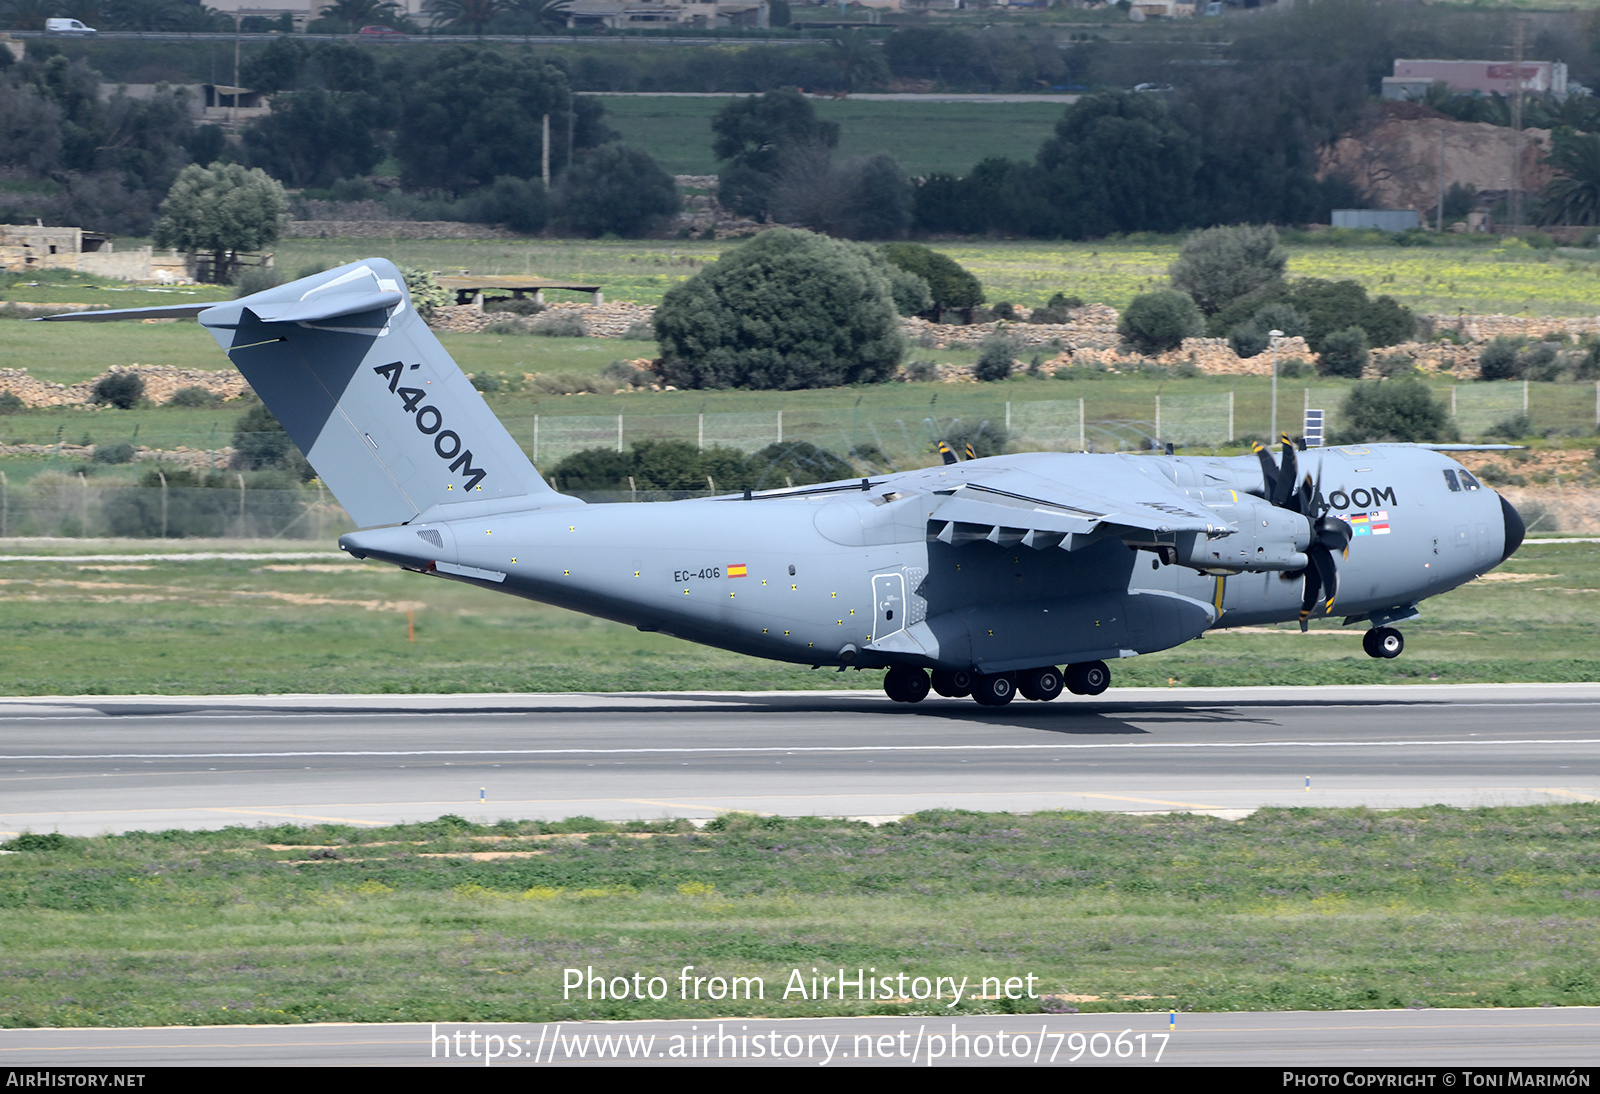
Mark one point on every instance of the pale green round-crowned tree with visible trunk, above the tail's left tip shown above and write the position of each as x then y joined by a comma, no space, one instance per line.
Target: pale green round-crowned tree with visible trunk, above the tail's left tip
223,210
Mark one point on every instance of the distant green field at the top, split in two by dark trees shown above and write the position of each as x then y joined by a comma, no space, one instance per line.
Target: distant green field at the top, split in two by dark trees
922,137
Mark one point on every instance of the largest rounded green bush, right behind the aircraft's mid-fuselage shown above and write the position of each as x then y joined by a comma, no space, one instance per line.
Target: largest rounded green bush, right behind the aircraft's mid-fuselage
786,311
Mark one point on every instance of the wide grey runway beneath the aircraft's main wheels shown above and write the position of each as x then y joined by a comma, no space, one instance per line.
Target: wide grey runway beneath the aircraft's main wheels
90,765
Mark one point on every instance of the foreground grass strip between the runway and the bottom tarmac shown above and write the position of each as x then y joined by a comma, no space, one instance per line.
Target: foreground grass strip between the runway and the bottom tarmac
1287,909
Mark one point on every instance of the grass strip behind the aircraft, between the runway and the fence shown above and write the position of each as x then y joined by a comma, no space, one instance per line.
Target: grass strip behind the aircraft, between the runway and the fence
218,626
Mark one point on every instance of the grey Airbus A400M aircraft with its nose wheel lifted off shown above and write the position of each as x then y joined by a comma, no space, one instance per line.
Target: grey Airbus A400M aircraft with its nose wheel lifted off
980,577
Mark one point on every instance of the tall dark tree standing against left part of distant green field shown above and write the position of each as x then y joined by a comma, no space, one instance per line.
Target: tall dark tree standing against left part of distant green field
753,135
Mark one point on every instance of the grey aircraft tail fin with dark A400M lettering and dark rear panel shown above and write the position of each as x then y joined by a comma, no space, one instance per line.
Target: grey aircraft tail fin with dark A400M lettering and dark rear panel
383,413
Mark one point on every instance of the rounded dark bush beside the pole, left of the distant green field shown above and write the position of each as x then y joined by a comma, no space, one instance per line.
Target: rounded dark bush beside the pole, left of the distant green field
615,190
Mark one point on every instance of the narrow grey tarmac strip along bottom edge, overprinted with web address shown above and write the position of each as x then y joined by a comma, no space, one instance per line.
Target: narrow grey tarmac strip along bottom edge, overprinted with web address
1364,1045
